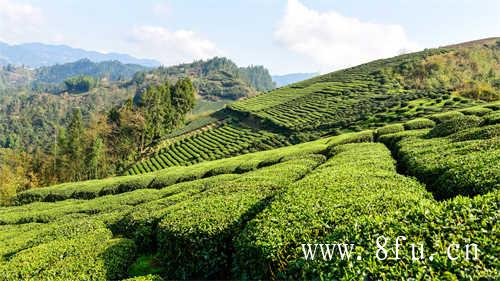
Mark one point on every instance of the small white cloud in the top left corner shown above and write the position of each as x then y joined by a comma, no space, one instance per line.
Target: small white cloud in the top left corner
19,22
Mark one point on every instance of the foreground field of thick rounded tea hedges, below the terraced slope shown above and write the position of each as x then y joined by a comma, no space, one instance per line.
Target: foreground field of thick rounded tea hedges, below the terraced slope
240,221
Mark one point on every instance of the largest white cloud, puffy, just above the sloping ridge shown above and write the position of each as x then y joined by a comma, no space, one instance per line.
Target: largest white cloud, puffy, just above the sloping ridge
334,41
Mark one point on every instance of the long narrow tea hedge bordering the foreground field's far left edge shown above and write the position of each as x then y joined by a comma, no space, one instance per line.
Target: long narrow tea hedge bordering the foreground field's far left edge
96,188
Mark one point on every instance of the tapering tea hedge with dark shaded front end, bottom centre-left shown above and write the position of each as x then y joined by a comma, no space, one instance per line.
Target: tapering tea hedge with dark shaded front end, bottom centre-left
195,235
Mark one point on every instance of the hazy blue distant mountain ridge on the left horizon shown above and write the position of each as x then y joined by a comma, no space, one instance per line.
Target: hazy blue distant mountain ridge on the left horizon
38,54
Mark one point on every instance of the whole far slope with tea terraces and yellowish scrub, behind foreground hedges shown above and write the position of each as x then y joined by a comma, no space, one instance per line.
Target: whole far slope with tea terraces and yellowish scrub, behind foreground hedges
362,97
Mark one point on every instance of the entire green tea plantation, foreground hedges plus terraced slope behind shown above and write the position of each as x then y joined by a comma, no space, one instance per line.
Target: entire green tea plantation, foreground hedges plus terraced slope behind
346,157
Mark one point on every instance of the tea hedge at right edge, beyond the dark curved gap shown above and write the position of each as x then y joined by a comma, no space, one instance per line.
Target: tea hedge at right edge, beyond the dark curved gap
464,163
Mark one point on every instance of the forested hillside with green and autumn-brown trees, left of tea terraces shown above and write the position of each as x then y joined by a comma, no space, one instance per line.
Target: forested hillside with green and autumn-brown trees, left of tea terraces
37,106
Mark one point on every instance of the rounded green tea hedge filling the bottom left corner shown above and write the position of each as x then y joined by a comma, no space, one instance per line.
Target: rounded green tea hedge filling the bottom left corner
91,254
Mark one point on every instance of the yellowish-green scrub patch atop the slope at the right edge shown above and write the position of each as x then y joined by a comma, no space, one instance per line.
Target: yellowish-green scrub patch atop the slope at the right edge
469,70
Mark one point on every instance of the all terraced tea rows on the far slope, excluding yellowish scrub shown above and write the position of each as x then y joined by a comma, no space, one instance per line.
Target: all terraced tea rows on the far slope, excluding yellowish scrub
363,97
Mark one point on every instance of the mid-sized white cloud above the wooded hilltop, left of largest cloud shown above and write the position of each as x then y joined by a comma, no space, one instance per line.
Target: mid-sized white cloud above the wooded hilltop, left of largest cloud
171,47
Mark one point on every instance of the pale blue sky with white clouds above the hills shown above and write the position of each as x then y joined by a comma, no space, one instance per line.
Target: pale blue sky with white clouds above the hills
283,35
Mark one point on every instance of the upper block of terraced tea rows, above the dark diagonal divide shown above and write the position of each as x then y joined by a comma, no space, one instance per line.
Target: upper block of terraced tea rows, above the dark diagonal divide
361,96
